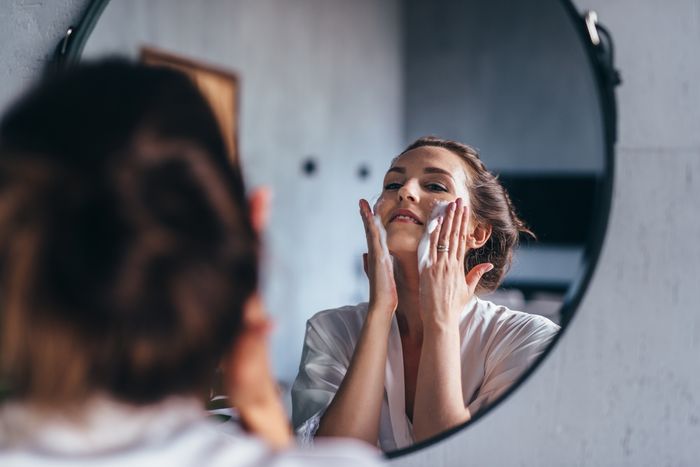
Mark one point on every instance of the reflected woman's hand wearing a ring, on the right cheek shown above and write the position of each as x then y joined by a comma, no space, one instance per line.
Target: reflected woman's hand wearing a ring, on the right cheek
445,286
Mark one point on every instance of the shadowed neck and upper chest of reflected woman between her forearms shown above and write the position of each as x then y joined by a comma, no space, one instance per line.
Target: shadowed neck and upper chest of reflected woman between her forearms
408,315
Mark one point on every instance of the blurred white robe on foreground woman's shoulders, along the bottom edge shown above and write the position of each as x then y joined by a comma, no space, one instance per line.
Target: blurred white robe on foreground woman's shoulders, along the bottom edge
176,432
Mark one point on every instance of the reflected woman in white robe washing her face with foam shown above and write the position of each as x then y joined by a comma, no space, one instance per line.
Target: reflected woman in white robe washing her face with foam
425,354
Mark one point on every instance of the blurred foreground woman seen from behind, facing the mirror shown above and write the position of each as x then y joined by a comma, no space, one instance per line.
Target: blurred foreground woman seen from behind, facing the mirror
128,274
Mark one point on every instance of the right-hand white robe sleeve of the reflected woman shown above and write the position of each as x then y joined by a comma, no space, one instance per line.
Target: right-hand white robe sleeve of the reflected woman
515,347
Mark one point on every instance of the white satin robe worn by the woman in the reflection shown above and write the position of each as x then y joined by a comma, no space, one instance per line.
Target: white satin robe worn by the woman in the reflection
497,346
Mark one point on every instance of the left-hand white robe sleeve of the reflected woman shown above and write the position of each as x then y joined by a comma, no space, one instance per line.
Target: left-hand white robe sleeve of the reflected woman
325,359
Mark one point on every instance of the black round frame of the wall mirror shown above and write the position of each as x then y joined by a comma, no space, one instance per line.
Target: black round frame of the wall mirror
600,52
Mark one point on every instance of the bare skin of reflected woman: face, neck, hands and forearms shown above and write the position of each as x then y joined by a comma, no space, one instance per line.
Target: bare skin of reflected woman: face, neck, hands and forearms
427,304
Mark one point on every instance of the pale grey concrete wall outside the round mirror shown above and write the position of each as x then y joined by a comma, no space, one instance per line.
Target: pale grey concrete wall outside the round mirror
622,388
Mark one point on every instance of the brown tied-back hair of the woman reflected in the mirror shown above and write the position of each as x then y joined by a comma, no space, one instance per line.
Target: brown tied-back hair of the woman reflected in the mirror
490,205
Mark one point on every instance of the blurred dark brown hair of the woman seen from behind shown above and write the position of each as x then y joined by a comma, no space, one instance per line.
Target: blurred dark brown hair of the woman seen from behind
126,249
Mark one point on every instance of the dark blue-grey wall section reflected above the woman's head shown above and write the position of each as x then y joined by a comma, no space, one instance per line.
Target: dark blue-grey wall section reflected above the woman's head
517,86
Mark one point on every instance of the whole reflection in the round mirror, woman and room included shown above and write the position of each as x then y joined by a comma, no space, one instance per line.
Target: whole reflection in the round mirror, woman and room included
326,95
